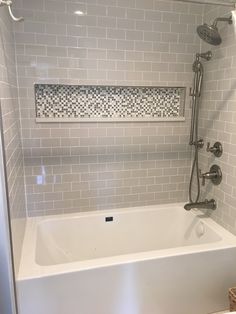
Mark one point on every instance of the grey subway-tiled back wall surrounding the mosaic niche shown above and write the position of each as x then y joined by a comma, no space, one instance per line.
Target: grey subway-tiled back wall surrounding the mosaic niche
86,166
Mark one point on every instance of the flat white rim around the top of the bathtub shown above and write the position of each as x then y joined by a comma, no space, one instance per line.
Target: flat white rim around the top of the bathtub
29,269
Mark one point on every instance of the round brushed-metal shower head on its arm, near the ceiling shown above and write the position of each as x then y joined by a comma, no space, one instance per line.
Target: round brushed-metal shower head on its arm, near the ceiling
210,33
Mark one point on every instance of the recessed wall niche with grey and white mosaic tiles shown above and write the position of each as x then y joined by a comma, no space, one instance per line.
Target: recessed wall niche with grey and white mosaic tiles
108,102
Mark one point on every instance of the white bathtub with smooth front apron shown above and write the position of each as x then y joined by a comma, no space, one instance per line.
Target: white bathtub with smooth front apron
149,260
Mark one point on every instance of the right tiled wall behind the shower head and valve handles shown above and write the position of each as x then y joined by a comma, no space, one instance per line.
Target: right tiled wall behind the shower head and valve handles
218,119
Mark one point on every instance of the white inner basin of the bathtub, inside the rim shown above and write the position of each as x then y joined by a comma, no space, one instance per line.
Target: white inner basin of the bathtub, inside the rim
91,236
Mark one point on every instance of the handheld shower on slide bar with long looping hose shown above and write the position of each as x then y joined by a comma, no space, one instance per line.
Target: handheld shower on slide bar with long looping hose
195,93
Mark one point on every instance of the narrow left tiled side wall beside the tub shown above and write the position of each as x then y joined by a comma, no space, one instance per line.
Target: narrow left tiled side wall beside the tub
11,129
